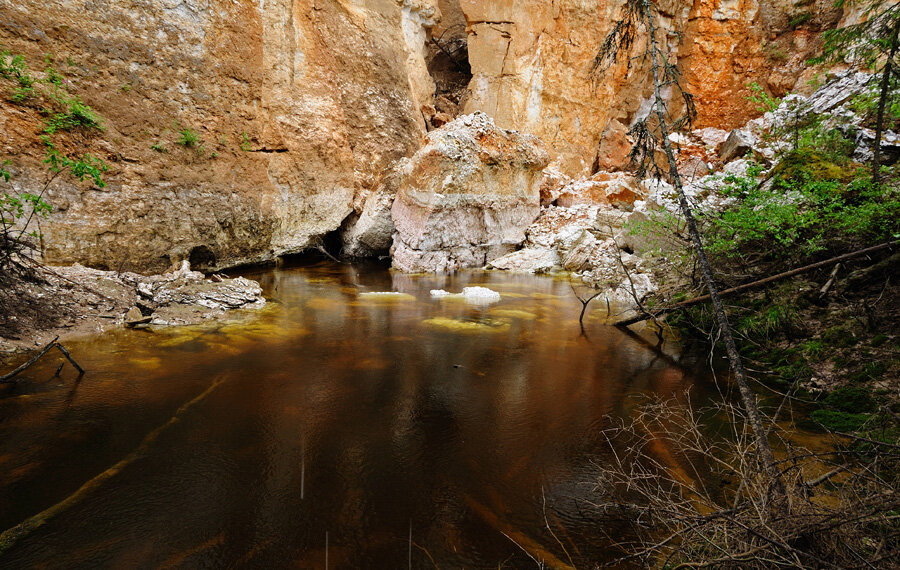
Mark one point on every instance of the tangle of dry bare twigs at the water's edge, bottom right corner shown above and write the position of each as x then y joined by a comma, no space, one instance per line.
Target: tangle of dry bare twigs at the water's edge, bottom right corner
695,499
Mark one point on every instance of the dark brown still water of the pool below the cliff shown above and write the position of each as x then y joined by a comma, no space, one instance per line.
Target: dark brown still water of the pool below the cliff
337,427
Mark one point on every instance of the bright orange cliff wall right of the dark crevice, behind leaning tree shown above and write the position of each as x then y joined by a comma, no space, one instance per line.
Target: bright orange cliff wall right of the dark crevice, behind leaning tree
531,61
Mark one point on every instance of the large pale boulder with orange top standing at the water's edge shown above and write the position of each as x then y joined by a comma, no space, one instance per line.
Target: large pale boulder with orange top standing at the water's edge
467,196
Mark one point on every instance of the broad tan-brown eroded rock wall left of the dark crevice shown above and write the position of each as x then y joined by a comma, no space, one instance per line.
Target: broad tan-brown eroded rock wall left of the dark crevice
299,105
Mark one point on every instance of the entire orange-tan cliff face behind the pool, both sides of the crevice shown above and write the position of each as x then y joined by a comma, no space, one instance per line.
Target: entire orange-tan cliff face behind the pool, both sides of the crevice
302,107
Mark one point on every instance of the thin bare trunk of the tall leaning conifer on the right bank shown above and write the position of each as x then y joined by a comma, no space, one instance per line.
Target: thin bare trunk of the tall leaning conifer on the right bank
748,398
